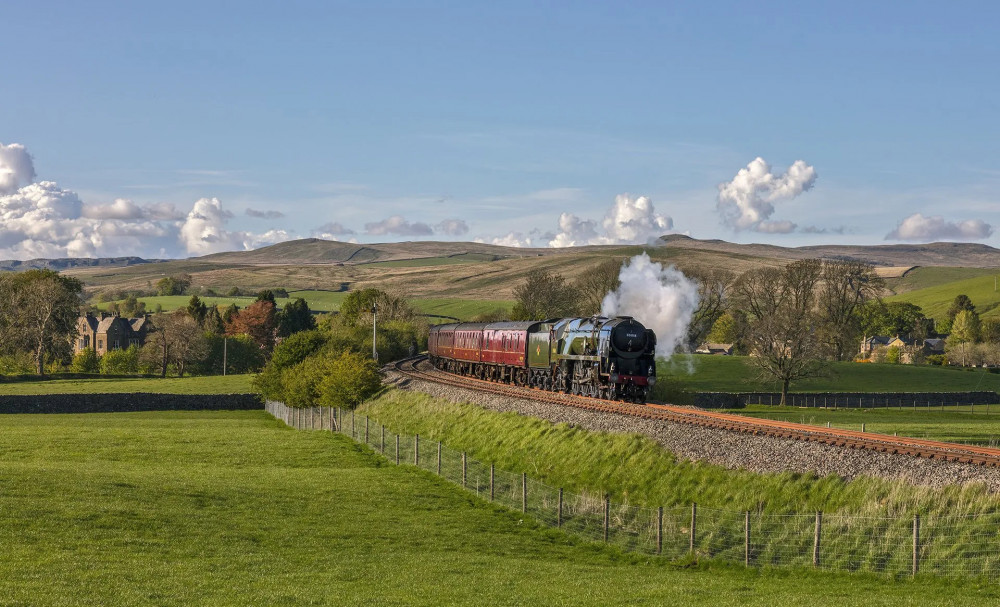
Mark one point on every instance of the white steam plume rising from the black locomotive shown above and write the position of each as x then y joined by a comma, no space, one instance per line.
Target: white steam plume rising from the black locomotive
661,298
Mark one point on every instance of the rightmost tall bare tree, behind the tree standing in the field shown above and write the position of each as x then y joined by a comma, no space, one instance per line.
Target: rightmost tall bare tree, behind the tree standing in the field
846,288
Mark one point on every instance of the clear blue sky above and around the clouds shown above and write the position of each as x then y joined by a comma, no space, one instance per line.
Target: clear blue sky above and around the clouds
505,115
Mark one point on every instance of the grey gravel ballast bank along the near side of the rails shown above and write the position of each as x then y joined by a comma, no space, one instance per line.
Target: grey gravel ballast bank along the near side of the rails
729,449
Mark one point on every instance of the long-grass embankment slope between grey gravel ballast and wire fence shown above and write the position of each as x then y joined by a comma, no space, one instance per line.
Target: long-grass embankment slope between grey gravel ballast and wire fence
636,469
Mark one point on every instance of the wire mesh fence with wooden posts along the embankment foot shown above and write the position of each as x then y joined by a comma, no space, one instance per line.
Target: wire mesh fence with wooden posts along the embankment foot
964,546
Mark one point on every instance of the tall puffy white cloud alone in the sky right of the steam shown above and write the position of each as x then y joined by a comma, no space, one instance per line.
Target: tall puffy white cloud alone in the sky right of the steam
747,202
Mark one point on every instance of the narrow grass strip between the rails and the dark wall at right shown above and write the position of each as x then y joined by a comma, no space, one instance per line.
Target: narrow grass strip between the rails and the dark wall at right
978,425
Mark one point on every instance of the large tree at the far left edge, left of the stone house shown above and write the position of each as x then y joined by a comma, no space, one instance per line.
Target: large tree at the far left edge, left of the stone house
38,313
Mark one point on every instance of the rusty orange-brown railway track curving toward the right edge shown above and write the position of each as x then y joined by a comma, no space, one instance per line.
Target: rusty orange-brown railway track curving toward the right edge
419,368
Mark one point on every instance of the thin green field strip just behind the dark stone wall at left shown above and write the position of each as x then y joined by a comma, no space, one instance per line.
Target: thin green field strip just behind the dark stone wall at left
206,384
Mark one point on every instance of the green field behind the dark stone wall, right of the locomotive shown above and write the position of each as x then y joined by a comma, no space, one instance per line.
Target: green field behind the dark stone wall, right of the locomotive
702,373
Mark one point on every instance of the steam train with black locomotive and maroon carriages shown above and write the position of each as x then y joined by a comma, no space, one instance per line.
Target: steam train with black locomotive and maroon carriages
609,358
